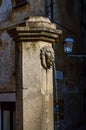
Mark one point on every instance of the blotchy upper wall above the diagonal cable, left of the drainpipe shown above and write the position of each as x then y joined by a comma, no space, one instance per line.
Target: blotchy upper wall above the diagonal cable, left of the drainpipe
12,14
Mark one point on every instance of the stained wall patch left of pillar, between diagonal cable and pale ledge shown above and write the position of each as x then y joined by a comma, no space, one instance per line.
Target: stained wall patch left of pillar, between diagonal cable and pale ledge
7,62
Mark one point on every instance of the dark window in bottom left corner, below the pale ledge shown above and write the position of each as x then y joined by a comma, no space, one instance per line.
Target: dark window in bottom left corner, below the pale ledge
8,121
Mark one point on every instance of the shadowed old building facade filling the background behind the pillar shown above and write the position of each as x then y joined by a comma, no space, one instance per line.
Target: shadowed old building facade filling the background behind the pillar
70,17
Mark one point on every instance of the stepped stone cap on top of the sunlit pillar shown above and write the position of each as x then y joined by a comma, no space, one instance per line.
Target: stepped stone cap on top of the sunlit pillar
36,28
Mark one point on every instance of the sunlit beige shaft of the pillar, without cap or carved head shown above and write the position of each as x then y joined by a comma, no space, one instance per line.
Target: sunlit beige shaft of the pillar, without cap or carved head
33,84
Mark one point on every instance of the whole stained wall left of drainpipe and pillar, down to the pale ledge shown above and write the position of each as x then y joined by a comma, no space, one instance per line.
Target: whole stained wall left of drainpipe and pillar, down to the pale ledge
10,16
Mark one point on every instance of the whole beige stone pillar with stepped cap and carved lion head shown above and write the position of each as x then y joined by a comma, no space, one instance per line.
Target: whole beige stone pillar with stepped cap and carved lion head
34,76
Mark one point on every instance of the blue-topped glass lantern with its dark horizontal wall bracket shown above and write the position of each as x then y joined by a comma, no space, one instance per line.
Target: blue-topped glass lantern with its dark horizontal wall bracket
68,48
